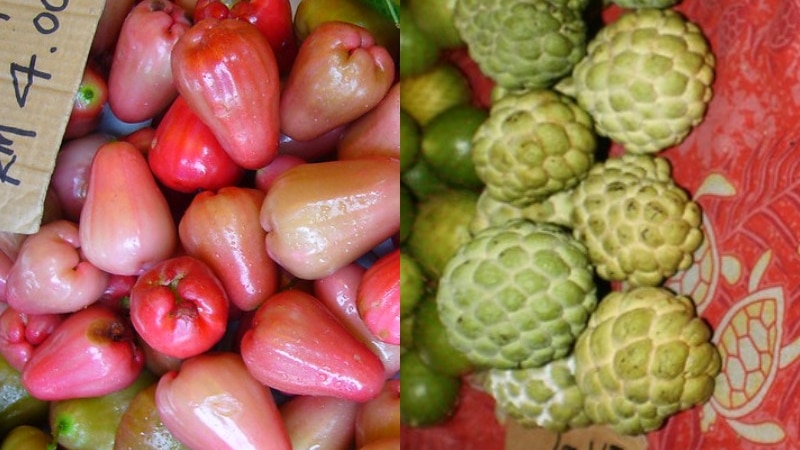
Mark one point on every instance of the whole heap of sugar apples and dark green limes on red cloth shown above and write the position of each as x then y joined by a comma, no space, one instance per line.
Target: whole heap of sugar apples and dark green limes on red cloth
547,280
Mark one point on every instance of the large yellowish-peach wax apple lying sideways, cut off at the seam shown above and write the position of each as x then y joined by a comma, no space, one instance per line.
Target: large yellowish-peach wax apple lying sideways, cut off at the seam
322,216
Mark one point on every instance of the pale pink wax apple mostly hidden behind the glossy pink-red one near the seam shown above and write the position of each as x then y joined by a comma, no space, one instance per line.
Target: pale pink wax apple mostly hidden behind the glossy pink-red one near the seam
338,293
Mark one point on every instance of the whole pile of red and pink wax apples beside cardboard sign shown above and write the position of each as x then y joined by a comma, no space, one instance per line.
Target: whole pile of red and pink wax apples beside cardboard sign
226,273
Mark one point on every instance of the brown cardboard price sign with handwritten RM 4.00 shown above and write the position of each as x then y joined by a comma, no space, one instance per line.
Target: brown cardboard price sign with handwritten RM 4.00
46,45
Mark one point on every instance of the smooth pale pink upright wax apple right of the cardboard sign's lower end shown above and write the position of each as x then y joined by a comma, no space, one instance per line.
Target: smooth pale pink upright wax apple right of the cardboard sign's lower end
126,225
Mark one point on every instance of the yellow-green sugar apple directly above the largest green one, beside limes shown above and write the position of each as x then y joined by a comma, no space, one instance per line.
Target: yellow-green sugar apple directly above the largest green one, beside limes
533,144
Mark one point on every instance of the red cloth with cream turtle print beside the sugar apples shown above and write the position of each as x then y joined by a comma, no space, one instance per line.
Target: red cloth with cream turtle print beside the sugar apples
742,165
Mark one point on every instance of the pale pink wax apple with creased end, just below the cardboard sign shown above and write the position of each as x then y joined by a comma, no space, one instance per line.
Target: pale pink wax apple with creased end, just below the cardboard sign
51,276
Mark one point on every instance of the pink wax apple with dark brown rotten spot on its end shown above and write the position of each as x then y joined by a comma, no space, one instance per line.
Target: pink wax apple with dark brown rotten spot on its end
91,353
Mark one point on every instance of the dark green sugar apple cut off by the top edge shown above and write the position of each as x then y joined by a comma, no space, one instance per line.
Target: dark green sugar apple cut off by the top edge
522,43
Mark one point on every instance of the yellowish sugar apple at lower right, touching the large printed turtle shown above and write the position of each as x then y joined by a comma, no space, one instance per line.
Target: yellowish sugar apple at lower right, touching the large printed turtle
644,356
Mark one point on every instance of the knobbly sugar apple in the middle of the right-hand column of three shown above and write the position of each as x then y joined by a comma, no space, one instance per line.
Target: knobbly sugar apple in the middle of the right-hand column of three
638,225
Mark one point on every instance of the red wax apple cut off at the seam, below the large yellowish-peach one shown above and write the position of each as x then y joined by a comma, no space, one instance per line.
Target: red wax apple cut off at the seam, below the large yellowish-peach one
378,298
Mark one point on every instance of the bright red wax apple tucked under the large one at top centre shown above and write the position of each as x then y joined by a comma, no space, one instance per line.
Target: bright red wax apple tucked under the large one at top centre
185,155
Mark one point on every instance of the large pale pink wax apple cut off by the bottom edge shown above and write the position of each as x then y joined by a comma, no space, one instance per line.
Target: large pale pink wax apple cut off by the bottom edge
214,402
